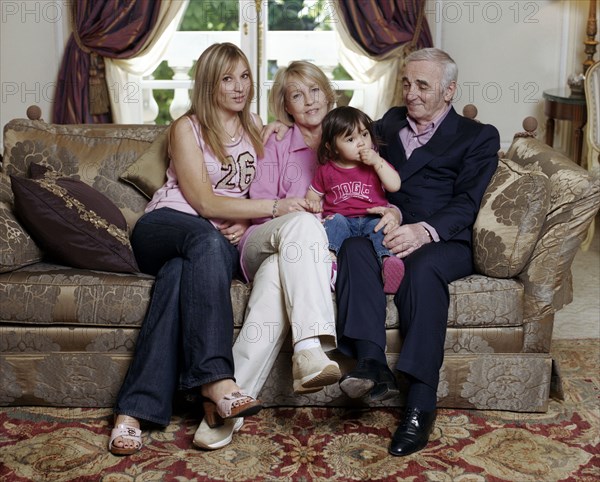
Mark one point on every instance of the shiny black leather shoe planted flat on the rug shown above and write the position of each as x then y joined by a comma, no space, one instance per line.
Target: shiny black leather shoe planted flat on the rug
413,432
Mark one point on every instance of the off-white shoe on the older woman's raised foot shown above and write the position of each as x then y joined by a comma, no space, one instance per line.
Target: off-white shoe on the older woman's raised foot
313,370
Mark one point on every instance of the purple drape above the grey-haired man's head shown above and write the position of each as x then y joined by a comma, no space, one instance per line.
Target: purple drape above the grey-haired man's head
381,26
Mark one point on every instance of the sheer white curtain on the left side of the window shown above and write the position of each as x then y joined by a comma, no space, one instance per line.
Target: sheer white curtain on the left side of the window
123,76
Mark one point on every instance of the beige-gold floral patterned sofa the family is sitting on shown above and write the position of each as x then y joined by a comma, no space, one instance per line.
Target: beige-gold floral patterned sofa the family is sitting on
67,334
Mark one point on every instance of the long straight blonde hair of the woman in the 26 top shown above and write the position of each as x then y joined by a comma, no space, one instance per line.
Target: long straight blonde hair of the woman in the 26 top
214,62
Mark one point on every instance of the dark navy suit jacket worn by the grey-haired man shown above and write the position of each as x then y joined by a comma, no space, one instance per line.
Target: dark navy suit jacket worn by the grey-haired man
444,181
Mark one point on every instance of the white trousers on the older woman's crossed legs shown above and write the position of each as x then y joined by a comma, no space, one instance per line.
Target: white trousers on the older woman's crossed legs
289,259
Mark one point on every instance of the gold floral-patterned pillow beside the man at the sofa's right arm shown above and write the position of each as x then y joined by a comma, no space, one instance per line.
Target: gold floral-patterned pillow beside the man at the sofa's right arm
512,212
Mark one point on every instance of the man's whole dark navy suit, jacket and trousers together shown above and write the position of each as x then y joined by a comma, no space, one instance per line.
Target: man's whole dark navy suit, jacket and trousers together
443,183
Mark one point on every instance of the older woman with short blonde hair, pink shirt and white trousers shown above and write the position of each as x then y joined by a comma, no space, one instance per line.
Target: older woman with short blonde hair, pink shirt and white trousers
286,257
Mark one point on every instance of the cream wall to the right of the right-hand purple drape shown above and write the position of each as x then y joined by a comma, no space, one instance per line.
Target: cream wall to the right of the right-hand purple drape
509,52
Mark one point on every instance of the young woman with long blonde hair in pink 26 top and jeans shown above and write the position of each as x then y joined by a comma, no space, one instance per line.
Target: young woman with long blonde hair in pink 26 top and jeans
188,239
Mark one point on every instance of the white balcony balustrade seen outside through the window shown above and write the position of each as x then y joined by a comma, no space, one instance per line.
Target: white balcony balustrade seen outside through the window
321,48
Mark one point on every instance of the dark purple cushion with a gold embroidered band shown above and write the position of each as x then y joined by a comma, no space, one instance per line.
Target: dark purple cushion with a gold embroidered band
73,222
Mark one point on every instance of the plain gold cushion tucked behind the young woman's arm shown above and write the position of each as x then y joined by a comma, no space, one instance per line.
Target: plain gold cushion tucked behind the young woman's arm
149,172
